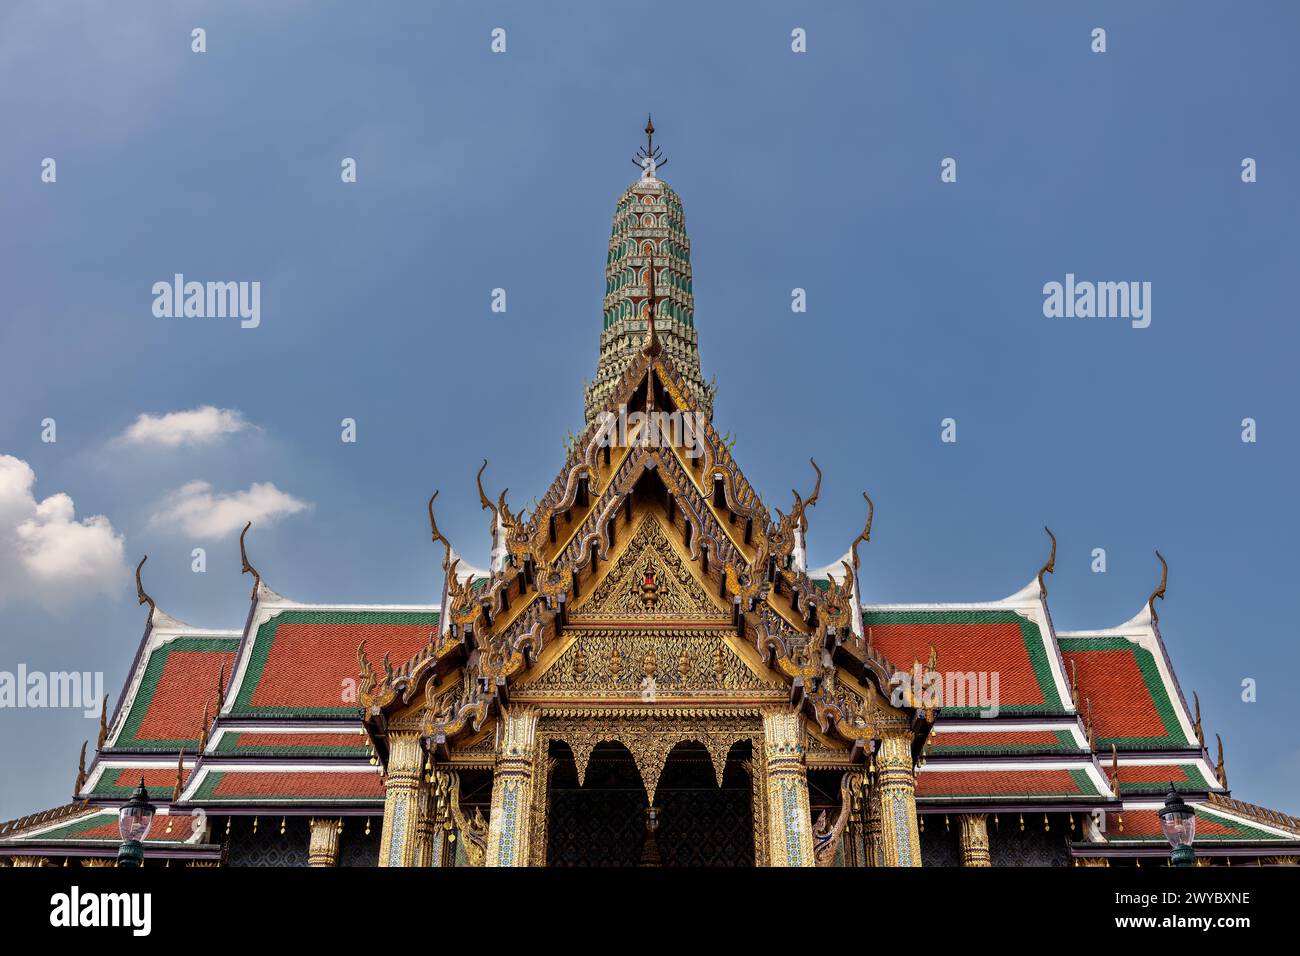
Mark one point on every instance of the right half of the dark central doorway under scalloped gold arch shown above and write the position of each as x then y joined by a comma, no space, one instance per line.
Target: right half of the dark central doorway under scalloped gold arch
700,823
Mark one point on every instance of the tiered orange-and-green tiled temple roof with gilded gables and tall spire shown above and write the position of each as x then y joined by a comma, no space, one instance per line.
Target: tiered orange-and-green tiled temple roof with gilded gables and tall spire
270,719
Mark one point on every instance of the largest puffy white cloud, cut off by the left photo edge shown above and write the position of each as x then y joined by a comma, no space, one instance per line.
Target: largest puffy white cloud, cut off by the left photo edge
46,555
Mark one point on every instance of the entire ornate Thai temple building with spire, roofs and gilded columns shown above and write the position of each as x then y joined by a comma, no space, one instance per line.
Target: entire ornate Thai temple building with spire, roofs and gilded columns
651,674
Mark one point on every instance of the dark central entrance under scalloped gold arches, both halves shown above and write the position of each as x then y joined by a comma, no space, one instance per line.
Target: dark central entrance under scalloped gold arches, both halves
604,823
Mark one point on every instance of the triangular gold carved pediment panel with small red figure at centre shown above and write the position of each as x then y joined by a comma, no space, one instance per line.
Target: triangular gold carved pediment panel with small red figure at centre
649,582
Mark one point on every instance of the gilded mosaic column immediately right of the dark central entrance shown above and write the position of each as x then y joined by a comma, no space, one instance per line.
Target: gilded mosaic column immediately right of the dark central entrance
790,819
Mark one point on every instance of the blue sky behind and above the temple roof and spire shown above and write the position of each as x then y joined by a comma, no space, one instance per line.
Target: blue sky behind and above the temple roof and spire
816,171
